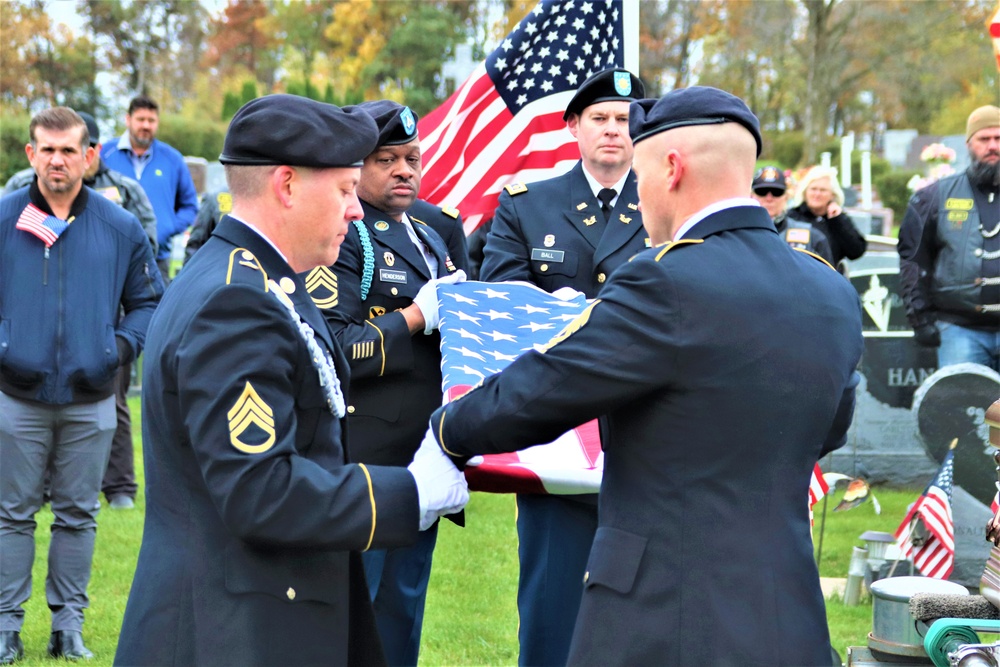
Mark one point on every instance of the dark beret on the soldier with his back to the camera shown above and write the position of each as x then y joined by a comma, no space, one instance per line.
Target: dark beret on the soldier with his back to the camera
696,105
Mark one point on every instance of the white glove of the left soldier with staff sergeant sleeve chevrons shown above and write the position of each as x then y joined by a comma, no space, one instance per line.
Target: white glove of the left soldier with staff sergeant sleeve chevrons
441,487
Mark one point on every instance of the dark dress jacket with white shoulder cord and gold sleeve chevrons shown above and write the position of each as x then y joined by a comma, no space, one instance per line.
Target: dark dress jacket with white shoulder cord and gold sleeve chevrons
254,517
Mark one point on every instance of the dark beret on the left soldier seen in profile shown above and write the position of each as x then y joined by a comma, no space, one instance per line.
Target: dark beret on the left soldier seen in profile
298,132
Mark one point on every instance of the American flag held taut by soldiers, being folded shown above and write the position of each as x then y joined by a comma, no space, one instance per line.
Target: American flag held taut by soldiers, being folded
484,327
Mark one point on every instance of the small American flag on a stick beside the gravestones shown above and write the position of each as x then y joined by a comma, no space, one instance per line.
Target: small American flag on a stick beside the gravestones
933,555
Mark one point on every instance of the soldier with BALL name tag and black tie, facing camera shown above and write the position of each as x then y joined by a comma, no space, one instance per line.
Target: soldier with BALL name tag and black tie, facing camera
568,231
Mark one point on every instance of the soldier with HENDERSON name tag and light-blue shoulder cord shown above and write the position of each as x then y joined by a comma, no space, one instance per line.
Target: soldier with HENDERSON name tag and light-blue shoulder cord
380,300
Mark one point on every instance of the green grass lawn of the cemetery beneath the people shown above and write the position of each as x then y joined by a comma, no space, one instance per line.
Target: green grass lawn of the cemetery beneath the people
471,615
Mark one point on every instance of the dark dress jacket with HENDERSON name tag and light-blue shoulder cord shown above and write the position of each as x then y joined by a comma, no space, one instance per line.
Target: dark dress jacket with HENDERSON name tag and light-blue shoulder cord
396,376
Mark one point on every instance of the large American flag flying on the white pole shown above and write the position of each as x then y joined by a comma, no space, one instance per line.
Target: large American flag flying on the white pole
505,123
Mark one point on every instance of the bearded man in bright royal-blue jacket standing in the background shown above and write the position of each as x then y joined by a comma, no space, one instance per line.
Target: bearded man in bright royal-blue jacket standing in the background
161,171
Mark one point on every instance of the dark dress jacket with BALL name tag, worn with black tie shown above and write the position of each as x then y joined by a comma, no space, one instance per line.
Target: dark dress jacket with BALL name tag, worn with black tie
550,234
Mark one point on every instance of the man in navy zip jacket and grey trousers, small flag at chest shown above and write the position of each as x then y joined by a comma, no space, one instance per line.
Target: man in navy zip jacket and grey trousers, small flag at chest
69,258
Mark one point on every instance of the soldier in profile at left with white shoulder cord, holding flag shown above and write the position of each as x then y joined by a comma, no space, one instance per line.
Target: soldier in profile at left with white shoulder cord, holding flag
254,515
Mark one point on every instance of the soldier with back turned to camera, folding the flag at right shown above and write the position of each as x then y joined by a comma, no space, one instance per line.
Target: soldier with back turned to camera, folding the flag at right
721,365
